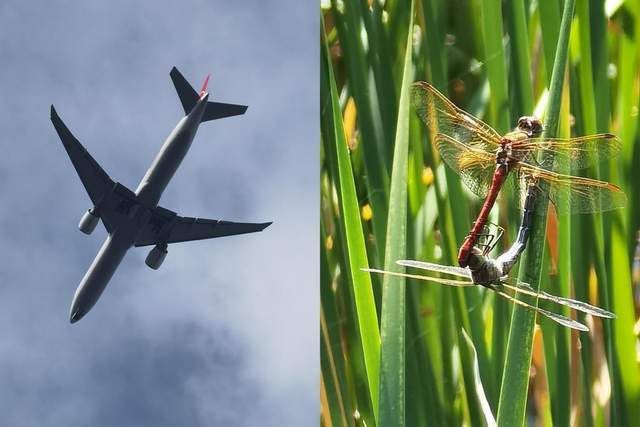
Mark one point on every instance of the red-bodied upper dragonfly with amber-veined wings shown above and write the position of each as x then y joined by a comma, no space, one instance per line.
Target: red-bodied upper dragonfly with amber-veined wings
485,159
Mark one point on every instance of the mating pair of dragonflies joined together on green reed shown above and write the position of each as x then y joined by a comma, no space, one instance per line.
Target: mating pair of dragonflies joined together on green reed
485,160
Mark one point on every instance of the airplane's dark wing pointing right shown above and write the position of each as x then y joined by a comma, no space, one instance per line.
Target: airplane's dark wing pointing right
166,226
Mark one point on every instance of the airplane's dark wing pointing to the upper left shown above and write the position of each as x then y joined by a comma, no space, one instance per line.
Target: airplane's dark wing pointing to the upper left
111,198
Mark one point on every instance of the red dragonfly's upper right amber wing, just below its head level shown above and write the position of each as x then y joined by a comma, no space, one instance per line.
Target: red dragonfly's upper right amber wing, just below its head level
567,154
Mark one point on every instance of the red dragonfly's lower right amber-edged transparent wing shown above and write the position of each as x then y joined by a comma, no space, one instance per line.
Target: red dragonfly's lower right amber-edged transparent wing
576,194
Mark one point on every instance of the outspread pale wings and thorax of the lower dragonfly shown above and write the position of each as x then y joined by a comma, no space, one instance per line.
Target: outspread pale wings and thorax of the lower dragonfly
487,272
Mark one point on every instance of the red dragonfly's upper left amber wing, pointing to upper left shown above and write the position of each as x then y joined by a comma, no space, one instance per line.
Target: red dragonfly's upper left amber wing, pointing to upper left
442,116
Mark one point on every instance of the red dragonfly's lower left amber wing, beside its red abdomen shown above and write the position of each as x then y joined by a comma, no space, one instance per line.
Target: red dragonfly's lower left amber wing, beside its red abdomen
475,167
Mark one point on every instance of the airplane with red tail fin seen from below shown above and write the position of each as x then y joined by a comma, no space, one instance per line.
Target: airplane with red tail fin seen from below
135,218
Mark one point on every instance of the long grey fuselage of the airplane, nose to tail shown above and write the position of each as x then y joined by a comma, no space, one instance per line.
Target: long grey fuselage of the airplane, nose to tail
148,194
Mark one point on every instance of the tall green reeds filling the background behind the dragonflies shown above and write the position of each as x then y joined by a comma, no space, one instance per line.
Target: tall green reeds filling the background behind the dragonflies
423,354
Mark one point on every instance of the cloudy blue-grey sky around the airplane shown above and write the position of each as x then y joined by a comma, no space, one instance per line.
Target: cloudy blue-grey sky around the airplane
226,332
